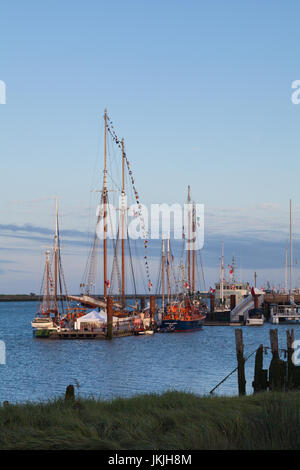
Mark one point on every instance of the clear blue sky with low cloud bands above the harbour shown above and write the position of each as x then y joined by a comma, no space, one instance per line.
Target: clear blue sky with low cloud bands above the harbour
201,91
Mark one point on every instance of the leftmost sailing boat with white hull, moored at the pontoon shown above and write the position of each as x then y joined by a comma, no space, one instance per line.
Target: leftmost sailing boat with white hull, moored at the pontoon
54,308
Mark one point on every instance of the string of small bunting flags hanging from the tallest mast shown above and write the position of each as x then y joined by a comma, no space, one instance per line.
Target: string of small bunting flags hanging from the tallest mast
117,141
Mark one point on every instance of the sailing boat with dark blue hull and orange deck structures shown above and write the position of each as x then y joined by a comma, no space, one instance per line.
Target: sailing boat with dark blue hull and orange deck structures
187,312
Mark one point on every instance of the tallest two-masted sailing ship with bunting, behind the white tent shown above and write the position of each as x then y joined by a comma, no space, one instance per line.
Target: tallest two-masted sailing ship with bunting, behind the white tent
116,283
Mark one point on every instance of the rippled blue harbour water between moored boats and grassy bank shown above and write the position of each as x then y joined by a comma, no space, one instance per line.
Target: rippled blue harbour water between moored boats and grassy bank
38,369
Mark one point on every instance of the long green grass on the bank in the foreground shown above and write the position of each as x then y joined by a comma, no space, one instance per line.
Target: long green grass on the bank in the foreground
173,420
